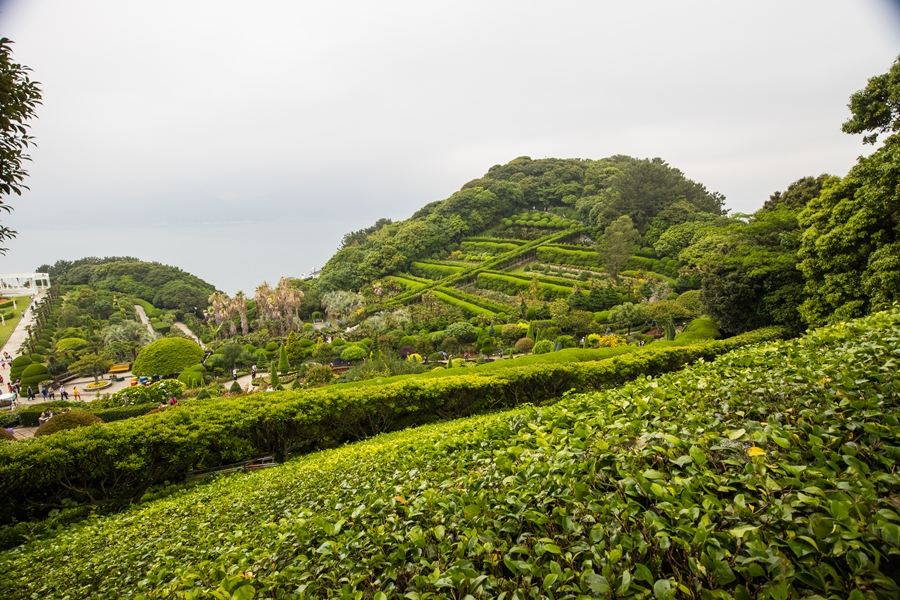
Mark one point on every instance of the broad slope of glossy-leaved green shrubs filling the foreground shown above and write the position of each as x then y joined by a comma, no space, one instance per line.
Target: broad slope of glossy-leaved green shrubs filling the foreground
767,474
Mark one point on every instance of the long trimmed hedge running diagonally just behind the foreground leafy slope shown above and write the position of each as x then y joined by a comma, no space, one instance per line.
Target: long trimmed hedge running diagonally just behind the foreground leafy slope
118,462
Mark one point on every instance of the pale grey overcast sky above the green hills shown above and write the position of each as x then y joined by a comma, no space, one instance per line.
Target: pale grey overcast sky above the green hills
241,140
